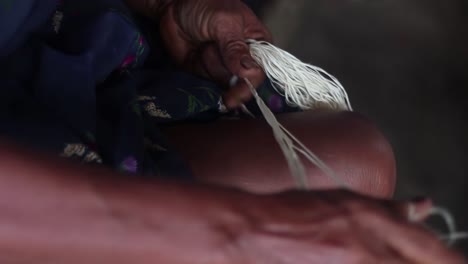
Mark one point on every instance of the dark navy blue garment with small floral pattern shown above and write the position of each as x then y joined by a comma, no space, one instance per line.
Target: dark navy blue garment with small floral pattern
80,79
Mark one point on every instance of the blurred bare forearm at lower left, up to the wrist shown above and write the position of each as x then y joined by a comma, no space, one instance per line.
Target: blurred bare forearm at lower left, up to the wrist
50,212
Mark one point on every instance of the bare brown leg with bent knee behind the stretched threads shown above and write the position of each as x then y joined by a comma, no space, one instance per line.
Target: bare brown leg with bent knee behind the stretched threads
244,153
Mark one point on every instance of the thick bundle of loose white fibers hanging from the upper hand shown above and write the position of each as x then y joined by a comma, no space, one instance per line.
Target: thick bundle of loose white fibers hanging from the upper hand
303,85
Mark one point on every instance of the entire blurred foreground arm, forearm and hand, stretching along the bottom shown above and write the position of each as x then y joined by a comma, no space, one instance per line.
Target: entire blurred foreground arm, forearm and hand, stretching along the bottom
52,211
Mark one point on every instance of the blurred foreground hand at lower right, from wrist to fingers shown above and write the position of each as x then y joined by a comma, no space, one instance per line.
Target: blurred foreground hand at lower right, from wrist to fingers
338,227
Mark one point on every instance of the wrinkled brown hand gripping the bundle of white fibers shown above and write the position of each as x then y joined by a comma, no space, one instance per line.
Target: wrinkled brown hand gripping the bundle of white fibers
207,38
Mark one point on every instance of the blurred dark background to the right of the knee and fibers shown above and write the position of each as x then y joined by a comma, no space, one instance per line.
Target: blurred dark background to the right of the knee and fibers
405,66
